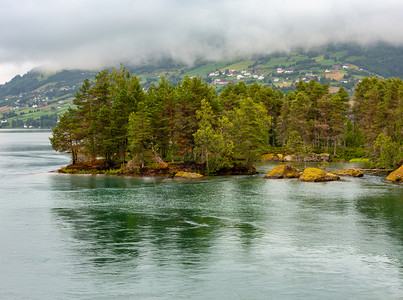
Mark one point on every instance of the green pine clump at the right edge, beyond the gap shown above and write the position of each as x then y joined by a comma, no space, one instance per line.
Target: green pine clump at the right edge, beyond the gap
378,112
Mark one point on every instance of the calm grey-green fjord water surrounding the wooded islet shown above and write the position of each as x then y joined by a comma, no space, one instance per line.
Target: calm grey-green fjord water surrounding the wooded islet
86,237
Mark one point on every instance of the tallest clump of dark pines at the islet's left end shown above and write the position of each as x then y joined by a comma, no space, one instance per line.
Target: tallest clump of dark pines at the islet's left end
101,115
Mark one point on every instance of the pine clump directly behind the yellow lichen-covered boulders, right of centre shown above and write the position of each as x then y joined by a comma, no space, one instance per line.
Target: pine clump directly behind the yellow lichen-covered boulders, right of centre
311,117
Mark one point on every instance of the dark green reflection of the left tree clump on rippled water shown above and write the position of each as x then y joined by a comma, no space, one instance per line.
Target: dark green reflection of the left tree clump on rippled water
119,217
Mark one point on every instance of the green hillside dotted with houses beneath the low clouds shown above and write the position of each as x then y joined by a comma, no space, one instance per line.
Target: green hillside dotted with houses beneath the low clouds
30,99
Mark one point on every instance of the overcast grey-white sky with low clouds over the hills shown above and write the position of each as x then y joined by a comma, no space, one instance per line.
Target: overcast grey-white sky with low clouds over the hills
93,34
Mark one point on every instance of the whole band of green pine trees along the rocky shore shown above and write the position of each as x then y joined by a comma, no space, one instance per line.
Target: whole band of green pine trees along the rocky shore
115,123
